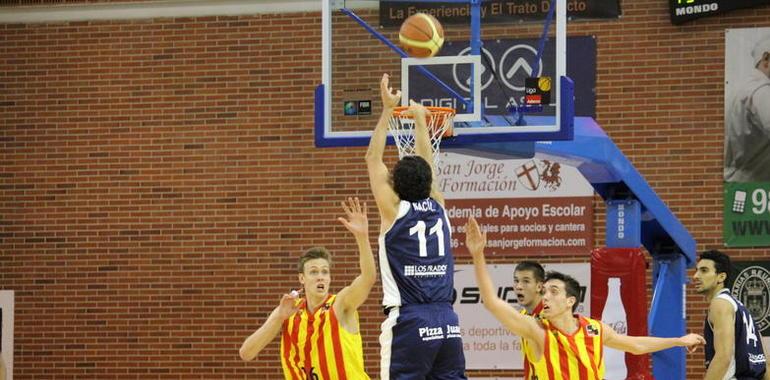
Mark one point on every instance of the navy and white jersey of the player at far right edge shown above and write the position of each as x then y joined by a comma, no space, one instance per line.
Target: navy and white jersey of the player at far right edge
749,361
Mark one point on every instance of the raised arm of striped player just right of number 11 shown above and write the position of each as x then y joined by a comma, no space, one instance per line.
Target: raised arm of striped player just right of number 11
519,324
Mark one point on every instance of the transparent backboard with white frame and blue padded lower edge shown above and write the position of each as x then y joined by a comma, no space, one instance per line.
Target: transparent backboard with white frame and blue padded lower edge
517,90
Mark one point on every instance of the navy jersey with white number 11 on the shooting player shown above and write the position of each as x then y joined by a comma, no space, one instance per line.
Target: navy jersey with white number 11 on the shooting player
416,256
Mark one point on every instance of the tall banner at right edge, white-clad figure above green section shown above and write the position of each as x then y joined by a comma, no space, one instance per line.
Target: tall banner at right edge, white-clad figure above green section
746,218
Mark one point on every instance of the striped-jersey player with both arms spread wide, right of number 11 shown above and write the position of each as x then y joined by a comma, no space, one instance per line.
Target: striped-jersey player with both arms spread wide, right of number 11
570,345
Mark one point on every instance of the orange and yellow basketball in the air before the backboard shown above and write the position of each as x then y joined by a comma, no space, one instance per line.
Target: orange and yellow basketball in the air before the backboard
421,35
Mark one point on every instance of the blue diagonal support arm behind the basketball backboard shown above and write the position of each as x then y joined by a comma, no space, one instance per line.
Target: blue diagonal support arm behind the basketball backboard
609,171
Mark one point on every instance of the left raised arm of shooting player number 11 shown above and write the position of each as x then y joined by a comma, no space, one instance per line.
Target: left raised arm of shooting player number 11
379,177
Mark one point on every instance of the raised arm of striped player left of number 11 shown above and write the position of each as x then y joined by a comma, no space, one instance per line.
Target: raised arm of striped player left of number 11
352,296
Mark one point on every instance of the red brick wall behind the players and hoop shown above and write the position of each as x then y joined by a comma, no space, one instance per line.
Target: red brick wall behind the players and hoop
159,178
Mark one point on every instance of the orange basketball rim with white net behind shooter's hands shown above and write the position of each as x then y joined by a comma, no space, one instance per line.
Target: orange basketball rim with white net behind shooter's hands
440,124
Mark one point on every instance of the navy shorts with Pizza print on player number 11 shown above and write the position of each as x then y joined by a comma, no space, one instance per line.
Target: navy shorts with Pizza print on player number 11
421,341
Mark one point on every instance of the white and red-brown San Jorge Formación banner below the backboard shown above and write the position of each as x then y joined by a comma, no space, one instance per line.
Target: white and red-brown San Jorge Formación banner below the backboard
527,207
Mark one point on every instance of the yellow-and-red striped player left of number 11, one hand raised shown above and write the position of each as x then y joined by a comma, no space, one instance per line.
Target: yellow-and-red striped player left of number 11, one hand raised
320,336
